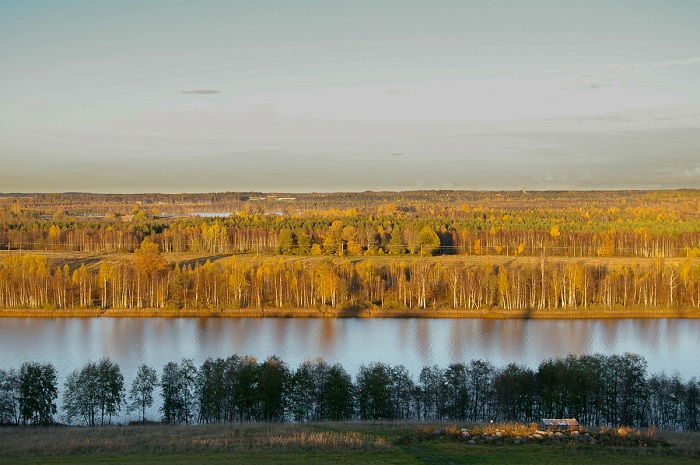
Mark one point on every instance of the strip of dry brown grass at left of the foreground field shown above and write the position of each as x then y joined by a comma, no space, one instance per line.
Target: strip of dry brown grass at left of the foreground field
57,440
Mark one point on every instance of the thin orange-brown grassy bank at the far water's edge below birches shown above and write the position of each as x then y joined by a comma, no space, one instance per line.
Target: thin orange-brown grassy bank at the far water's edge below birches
377,312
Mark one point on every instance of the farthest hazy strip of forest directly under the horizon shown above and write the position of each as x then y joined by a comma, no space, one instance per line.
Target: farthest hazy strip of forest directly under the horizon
675,204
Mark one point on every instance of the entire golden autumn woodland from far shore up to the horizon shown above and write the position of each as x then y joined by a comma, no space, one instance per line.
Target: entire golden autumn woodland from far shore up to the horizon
425,249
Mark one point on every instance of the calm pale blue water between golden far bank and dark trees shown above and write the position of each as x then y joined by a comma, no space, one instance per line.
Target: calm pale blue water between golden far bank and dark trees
667,344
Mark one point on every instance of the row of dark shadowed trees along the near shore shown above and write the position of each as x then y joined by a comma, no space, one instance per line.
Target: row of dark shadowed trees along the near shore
596,389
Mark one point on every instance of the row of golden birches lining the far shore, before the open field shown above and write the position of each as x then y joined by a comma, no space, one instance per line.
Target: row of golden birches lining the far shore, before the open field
146,279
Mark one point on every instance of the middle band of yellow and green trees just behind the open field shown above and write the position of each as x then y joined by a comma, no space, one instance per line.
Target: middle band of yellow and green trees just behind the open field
355,235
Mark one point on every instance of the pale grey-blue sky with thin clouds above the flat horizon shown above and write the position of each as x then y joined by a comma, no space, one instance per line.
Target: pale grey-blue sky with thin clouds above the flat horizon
320,96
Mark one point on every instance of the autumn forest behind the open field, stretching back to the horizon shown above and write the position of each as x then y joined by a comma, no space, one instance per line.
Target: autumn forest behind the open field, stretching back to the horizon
635,224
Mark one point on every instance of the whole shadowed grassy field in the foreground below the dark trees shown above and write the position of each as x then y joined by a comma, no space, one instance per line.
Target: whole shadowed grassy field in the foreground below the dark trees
380,443
